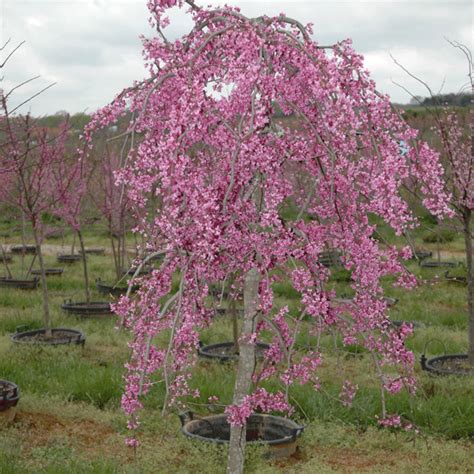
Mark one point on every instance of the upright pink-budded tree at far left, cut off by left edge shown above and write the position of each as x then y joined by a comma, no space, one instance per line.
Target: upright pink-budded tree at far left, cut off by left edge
29,157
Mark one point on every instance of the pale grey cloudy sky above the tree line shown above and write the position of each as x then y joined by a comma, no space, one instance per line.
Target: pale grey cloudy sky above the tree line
91,48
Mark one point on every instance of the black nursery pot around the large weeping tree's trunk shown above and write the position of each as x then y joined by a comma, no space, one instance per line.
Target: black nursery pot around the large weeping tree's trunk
279,434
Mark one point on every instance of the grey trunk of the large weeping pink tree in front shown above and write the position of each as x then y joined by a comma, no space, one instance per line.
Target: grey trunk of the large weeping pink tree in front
245,369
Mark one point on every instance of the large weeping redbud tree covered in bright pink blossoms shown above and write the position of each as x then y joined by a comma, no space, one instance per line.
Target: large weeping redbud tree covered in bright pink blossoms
210,147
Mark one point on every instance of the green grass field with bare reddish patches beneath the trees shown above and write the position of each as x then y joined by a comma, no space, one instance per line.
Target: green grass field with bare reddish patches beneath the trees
69,418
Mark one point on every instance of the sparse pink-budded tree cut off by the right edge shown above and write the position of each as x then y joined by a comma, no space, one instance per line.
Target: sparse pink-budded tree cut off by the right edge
457,152
